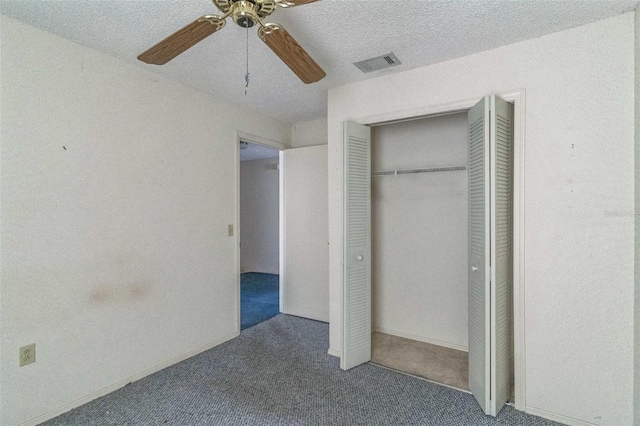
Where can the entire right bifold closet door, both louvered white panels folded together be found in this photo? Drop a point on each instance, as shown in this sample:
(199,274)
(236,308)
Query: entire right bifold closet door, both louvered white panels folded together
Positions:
(490,252)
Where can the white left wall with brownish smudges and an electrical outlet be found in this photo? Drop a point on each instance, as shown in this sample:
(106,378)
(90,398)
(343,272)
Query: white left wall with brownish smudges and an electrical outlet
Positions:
(117,189)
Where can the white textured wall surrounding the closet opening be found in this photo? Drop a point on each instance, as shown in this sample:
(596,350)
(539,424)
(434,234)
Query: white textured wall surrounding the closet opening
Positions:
(579,174)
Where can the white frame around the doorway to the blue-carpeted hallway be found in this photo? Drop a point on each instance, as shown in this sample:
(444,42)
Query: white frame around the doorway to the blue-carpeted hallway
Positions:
(280,146)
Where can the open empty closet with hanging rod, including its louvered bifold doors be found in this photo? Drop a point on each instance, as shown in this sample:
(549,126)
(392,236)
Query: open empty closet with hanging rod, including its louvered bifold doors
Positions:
(428,248)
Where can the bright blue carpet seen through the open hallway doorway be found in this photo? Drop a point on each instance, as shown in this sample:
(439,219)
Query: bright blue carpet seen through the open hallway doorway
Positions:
(259,298)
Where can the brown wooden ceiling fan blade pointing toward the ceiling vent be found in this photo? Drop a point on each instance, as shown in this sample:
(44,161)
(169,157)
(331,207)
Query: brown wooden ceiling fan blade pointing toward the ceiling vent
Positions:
(291,53)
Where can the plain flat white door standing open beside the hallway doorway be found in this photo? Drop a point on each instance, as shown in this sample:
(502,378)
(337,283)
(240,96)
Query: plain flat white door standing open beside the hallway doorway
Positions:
(306,266)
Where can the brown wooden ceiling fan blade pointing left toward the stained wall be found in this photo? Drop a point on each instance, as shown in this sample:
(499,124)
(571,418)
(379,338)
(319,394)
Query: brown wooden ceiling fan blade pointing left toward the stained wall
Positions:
(182,40)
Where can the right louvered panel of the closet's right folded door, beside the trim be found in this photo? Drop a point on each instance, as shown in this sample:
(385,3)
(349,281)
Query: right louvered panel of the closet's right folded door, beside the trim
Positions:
(501,147)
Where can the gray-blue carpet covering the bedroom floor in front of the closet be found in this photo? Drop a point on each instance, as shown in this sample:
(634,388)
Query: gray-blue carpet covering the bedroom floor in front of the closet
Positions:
(279,373)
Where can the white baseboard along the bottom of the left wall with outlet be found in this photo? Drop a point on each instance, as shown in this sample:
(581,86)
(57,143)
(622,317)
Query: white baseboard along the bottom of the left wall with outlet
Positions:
(111,388)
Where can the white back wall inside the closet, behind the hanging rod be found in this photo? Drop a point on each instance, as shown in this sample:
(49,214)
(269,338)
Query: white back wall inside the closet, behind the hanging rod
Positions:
(419,231)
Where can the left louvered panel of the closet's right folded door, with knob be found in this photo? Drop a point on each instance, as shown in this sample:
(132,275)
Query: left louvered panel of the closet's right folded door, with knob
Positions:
(479,256)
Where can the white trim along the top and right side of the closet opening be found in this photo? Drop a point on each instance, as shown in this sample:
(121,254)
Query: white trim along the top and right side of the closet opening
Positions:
(517,97)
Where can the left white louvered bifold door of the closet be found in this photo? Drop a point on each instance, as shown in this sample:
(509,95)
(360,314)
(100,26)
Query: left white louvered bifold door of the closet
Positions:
(356,333)
